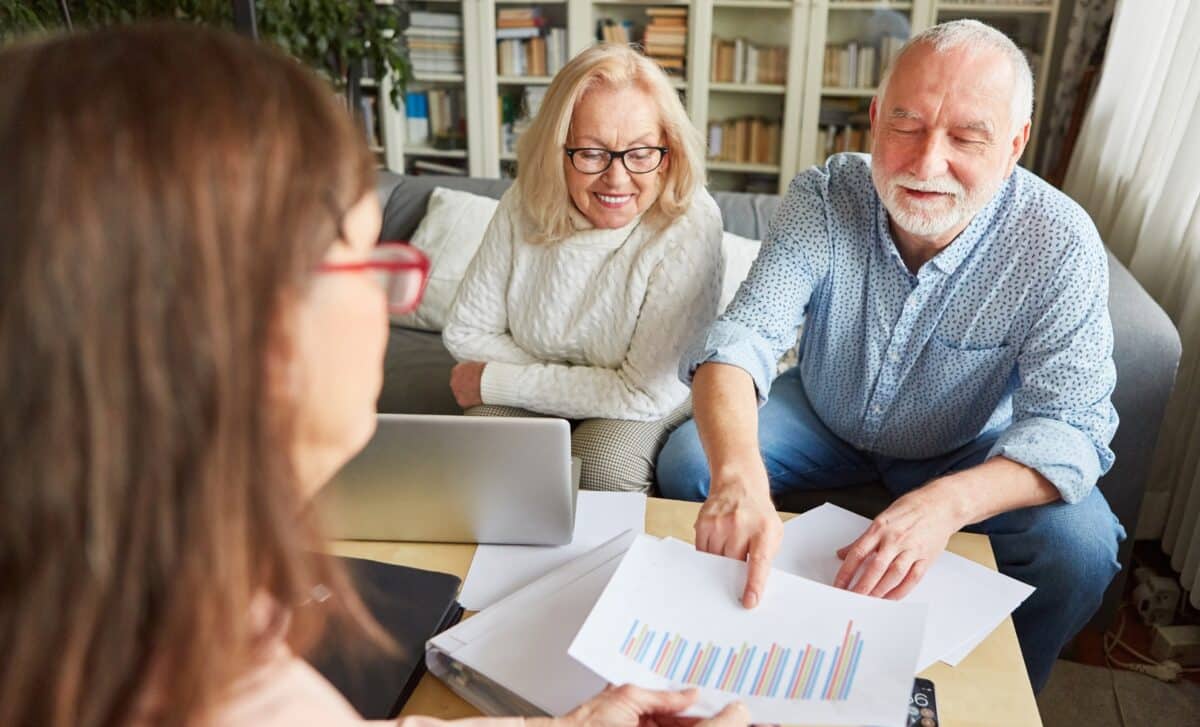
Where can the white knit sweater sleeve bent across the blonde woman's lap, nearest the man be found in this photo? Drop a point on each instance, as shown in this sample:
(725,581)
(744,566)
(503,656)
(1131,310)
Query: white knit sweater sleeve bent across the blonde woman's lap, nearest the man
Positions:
(681,302)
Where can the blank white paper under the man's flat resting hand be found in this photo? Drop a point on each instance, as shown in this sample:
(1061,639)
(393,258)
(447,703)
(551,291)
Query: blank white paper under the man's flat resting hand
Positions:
(967,600)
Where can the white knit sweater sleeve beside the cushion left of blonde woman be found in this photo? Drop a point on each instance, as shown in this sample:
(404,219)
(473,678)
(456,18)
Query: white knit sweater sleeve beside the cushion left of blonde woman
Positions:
(478,327)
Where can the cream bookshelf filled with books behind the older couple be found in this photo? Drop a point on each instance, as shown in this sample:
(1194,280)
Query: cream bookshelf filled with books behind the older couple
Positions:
(782,82)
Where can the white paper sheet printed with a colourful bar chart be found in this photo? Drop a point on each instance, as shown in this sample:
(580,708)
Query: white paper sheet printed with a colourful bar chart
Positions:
(670,618)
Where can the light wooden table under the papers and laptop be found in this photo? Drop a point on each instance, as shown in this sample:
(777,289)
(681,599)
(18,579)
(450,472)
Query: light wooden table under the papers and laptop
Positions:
(989,688)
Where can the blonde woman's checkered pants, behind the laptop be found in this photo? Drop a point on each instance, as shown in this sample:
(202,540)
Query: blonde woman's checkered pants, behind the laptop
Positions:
(619,455)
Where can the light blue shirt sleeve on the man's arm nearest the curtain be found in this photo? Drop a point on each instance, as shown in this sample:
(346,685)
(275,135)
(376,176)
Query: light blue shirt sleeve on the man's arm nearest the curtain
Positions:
(1064,418)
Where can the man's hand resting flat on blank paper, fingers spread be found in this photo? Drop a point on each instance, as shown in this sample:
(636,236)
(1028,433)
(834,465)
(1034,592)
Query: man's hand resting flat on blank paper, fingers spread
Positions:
(899,546)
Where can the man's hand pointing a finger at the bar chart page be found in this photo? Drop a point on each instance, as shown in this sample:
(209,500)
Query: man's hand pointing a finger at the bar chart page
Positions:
(740,521)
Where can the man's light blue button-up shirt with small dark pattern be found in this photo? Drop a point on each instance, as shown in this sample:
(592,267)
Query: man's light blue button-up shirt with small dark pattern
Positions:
(1006,329)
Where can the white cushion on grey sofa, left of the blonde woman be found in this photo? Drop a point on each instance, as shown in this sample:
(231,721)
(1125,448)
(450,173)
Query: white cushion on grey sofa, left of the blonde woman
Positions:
(451,235)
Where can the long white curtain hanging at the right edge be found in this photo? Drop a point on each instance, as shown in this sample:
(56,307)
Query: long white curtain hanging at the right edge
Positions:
(1137,171)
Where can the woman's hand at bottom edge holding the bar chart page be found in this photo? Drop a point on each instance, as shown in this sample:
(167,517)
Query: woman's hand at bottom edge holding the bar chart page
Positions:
(634,707)
